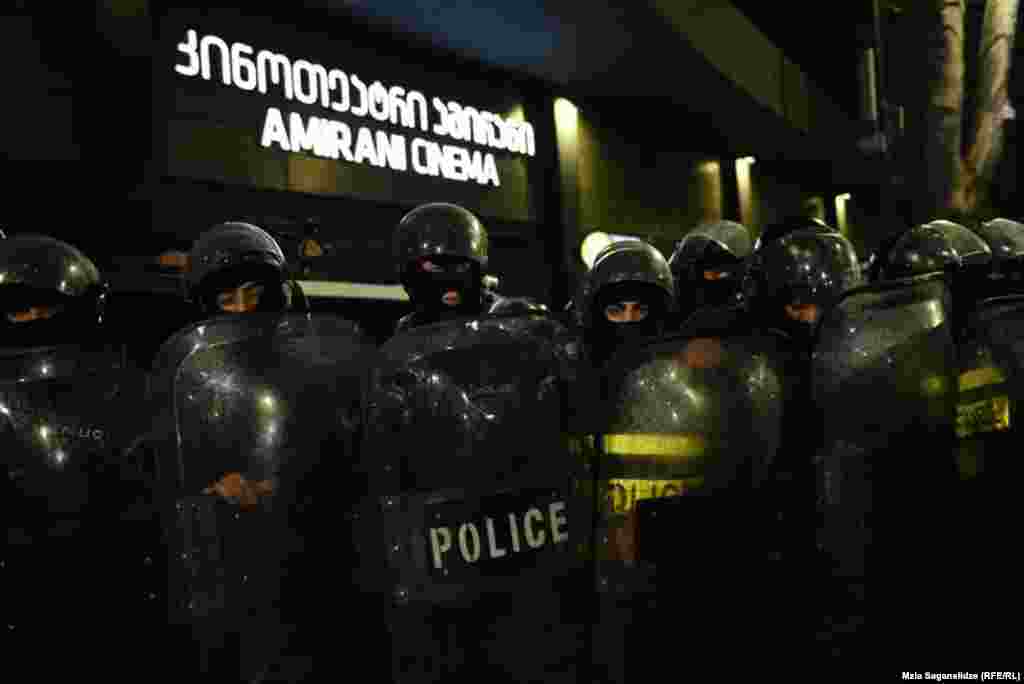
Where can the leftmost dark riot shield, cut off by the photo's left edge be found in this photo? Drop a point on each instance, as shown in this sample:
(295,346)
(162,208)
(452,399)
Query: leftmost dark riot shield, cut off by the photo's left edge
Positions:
(80,535)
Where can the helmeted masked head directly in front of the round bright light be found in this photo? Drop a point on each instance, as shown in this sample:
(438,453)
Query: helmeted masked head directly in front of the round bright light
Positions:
(627,296)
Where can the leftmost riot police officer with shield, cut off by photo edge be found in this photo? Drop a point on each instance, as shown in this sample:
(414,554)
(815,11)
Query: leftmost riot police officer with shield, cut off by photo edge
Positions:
(66,402)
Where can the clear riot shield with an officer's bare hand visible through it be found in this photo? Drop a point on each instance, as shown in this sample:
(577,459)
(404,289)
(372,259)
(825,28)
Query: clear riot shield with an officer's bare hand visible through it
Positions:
(258,423)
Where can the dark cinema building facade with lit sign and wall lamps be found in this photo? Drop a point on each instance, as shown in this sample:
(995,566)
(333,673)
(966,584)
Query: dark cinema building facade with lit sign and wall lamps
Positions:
(166,120)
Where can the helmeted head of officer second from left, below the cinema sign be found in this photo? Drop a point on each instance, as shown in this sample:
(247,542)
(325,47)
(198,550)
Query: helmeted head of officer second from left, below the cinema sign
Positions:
(237,267)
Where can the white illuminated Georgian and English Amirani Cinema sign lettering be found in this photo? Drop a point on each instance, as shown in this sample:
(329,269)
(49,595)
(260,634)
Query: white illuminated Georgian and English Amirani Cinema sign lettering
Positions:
(376,104)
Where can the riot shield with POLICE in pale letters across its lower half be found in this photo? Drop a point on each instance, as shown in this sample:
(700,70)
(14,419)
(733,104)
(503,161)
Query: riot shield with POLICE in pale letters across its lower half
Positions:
(468,534)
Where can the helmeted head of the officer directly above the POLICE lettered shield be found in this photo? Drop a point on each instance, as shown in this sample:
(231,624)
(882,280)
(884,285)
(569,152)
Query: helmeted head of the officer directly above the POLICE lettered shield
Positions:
(441,252)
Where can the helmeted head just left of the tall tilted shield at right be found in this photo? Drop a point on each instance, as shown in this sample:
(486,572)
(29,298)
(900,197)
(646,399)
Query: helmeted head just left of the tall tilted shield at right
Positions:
(799,277)
